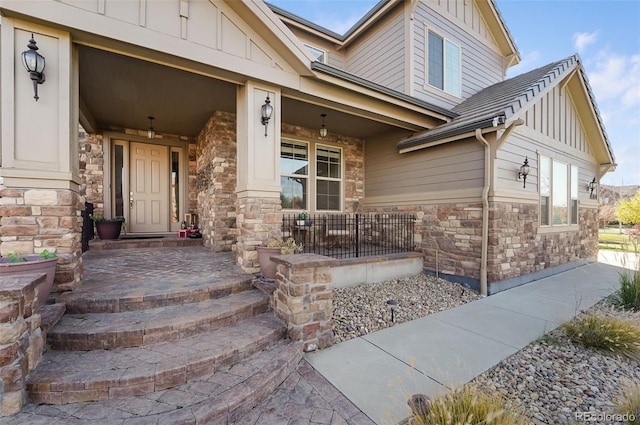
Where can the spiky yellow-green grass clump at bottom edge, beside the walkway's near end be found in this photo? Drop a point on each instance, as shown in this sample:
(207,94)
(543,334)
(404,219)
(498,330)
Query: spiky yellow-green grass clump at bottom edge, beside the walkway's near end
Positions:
(469,405)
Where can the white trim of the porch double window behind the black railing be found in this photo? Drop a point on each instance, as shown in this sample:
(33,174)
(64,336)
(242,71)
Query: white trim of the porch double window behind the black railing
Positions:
(312,175)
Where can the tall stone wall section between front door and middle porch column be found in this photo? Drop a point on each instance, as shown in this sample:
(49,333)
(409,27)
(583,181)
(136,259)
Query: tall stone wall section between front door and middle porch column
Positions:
(215,181)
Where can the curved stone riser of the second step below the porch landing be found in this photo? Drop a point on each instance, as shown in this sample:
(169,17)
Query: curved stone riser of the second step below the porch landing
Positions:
(65,389)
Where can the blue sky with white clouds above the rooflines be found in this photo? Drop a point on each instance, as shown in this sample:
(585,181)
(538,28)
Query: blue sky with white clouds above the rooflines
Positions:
(605,33)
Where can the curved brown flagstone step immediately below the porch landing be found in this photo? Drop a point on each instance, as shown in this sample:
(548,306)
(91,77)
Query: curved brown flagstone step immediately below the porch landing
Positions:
(94,331)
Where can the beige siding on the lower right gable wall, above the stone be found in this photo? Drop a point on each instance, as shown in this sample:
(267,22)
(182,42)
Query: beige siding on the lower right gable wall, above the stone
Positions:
(552,128)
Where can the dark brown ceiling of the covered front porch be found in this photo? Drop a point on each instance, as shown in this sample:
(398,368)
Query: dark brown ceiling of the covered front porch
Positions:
(120,92)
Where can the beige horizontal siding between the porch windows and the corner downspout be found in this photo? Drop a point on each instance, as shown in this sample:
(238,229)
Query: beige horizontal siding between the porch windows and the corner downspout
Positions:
(450,167)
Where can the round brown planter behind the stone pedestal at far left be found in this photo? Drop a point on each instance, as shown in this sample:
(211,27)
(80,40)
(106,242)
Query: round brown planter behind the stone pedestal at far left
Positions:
(45,262)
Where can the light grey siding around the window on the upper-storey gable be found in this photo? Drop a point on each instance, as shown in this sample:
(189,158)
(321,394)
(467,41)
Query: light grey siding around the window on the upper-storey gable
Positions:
(481,61)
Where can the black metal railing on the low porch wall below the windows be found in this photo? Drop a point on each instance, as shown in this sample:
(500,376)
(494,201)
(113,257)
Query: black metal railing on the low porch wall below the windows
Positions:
(351,235)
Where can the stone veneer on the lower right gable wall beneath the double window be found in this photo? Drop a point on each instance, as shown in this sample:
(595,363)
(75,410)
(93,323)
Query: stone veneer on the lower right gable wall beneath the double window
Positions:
(516,248)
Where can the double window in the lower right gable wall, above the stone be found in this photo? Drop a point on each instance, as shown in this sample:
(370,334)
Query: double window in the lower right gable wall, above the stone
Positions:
(558,193)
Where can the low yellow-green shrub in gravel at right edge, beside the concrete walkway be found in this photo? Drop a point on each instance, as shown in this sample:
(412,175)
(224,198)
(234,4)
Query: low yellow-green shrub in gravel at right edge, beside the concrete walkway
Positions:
(600,332)
